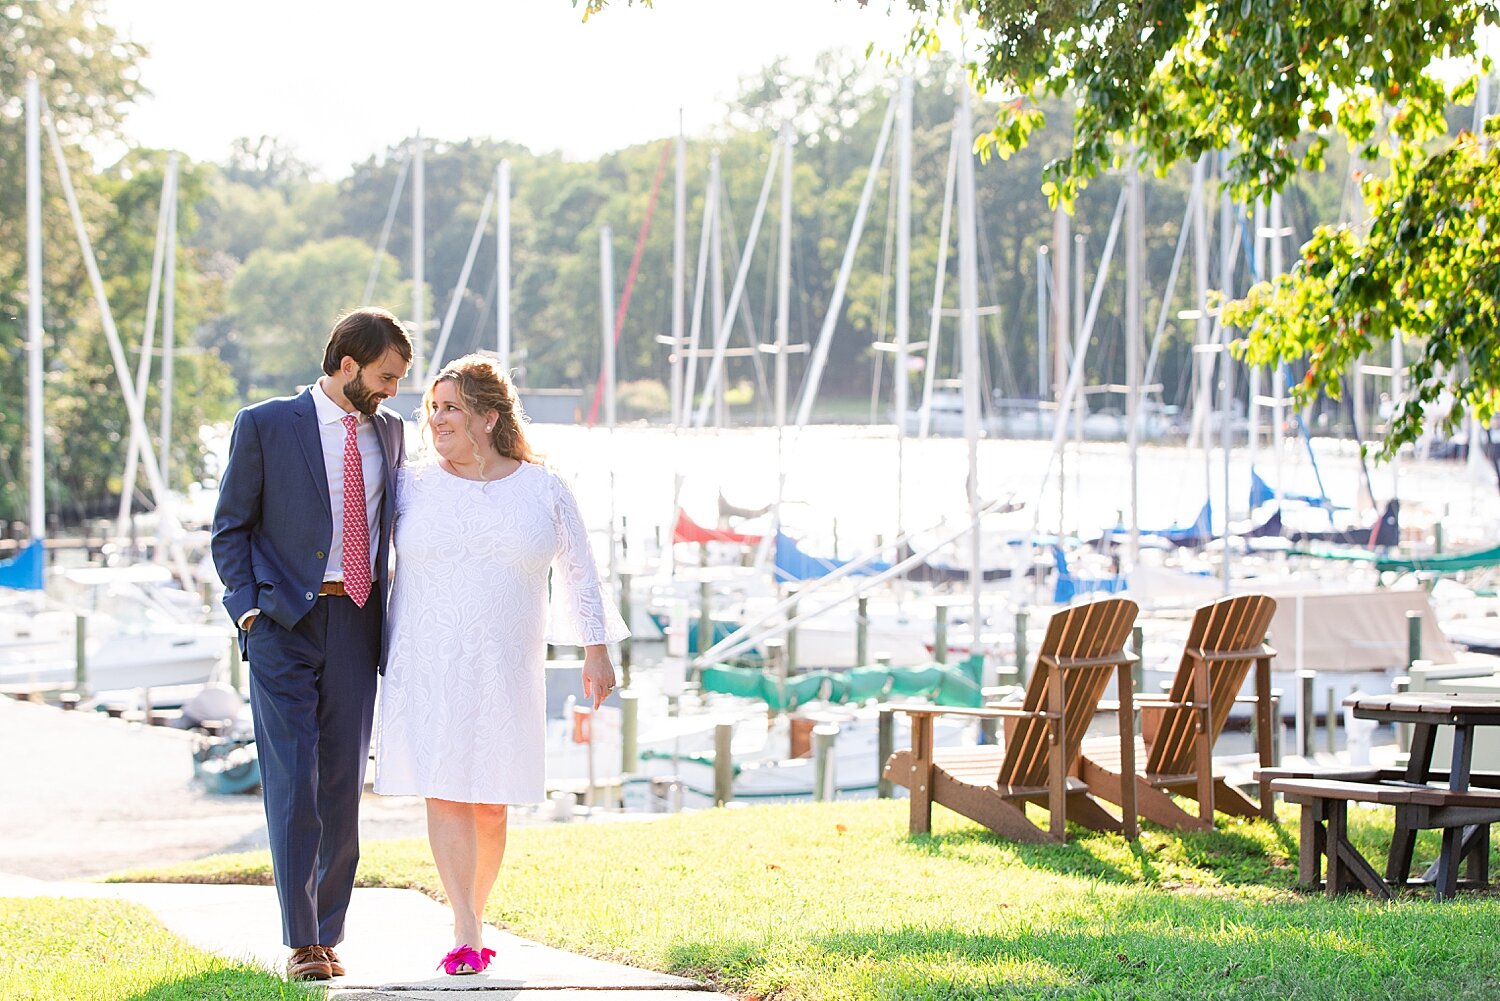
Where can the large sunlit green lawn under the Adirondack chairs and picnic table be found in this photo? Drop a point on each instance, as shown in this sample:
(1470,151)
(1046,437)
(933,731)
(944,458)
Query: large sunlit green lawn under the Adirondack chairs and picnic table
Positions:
(836,901)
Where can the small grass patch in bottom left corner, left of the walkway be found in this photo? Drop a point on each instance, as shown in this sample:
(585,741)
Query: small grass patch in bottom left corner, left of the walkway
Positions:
(112,951)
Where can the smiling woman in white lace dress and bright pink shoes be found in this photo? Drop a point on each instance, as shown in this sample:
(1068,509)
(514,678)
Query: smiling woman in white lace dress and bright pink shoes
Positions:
(463,706)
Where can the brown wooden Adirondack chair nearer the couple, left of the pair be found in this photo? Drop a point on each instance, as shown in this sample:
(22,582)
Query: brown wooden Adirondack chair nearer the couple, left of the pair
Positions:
(992,784)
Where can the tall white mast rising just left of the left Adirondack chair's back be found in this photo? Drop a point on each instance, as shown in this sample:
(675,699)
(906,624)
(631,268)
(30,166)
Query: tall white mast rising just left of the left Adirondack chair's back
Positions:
(970,343)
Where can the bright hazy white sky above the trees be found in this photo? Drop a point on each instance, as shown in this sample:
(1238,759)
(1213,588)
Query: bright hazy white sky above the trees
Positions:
(341,80)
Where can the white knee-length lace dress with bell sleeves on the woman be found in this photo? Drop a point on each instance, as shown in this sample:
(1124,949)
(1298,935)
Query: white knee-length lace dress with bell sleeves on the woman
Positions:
(463,706)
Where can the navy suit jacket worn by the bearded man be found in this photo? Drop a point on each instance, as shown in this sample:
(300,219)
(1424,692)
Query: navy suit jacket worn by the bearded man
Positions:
(274,522)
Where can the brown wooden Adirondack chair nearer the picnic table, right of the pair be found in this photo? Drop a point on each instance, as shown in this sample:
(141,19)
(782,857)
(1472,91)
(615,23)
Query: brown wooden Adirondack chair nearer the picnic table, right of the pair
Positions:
(1181,729)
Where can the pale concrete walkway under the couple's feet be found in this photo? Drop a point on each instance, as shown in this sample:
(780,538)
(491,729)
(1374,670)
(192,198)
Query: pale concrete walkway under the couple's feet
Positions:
(394,945)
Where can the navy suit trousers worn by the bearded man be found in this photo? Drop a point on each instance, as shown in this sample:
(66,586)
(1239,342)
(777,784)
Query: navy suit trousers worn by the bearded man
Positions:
(313,693)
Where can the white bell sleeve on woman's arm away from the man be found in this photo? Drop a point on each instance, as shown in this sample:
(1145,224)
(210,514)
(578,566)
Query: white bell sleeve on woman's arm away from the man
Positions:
(583,612)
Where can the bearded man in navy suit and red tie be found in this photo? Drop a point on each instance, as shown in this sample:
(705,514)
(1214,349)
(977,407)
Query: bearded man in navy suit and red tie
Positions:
(301,540)
